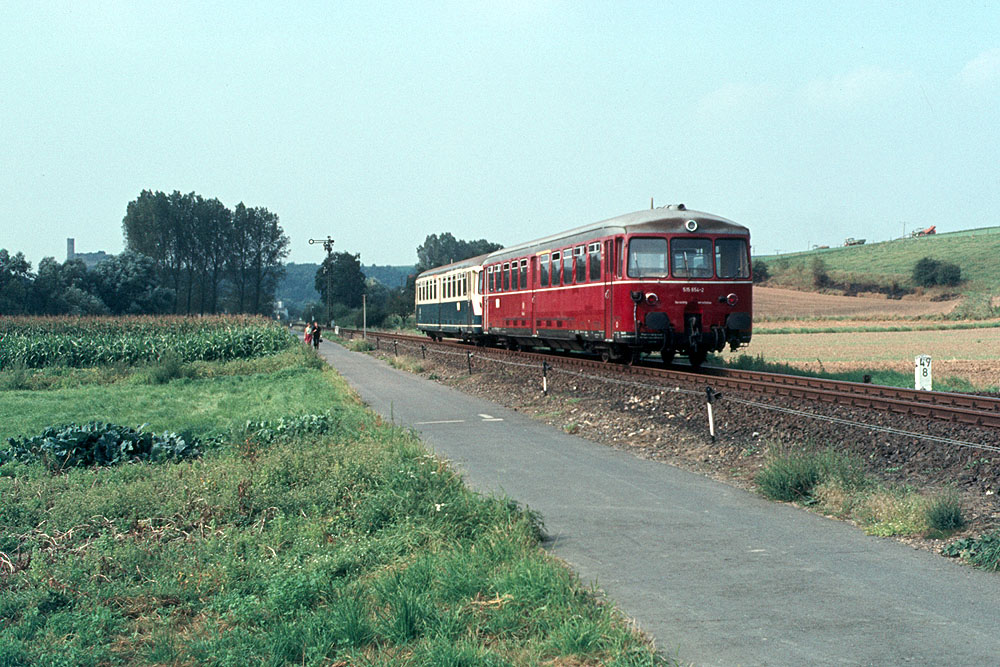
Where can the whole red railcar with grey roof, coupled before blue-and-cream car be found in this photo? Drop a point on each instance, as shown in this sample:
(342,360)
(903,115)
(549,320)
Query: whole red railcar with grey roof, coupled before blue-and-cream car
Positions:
(666,280)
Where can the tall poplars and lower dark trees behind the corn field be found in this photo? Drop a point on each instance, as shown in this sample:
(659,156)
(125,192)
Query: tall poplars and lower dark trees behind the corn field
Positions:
(184,254)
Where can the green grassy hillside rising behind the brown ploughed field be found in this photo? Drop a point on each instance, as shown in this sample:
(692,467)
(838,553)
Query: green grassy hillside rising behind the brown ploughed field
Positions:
(891,263)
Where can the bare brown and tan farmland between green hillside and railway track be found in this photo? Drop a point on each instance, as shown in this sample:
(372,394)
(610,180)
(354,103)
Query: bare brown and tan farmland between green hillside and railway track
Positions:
(973,354)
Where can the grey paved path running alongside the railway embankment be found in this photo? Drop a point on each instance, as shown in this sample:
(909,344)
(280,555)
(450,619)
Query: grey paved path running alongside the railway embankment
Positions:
(716,575)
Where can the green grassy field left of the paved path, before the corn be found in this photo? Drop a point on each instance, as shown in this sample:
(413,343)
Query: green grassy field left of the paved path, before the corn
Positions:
(315,534)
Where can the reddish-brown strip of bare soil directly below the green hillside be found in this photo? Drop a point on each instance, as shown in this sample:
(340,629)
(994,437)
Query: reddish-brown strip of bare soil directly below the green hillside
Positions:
(774,303)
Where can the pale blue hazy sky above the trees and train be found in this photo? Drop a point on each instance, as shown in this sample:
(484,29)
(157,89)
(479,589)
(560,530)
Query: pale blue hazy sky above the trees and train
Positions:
(380,123)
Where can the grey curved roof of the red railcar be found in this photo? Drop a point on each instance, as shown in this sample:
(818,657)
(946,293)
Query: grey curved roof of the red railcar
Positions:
(667,219)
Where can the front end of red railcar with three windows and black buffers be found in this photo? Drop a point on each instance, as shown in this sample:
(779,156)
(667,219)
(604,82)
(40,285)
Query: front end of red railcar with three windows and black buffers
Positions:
(686,286)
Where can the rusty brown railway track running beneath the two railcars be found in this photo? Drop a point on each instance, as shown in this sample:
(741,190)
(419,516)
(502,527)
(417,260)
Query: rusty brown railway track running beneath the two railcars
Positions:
(966,409)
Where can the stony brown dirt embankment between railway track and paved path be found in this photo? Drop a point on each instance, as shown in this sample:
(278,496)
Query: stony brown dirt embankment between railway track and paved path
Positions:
(669,424)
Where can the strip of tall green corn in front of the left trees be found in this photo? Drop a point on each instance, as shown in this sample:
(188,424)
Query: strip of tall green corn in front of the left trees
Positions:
(82,342)
